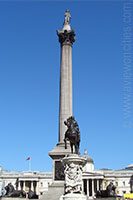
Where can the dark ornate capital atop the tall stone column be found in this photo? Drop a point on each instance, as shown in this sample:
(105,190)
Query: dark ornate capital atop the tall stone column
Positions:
(66,37)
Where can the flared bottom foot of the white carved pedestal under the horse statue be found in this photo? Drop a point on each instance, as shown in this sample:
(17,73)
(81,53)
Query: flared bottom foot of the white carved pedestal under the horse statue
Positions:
(73,197)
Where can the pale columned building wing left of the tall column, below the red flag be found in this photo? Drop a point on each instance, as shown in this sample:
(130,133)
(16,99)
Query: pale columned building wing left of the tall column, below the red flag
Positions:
(34,180)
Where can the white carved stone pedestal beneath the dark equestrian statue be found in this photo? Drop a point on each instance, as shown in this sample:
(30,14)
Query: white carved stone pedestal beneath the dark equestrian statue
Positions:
(73,167)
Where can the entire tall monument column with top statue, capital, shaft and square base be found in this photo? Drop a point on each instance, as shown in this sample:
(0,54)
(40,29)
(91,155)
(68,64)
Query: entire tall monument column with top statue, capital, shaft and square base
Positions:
(66,39)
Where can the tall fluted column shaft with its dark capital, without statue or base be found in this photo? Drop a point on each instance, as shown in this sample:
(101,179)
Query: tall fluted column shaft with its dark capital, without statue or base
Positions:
(66,39)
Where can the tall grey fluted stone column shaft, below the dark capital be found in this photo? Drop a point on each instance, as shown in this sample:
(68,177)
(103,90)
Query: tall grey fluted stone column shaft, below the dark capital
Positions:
(65,89)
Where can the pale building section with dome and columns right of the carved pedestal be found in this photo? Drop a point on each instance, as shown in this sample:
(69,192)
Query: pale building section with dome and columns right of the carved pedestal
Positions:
(95,180)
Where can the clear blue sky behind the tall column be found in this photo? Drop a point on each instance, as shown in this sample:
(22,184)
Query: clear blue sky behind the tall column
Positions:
(29,82)
